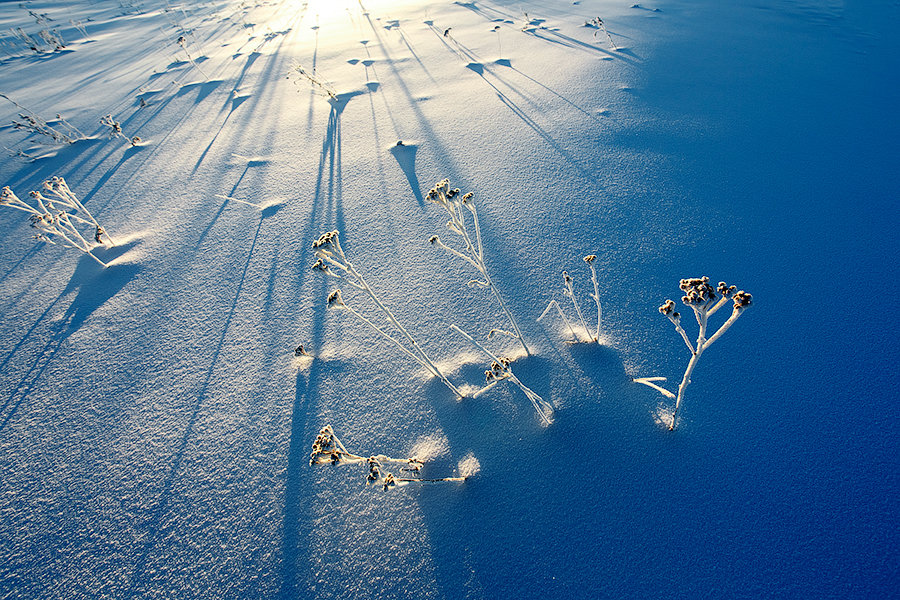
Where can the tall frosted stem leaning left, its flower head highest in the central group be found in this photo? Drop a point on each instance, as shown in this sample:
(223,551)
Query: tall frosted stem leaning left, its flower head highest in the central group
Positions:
(457,206)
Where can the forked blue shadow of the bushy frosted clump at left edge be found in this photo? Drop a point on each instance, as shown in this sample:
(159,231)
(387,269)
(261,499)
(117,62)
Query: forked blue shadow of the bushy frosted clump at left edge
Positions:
(94,286)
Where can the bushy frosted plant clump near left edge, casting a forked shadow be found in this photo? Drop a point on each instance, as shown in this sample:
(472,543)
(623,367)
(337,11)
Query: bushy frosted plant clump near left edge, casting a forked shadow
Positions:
(60,217)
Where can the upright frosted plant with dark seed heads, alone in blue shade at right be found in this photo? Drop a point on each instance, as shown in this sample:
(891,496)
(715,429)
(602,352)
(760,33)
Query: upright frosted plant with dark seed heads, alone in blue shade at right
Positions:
(704,300)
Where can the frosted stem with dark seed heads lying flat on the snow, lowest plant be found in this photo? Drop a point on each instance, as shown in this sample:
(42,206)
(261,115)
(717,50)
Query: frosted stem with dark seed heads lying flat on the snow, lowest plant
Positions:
(328,449)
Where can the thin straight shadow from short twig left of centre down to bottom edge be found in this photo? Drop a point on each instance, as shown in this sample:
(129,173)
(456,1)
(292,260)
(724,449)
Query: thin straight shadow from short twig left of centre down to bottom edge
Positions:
(154,523)
